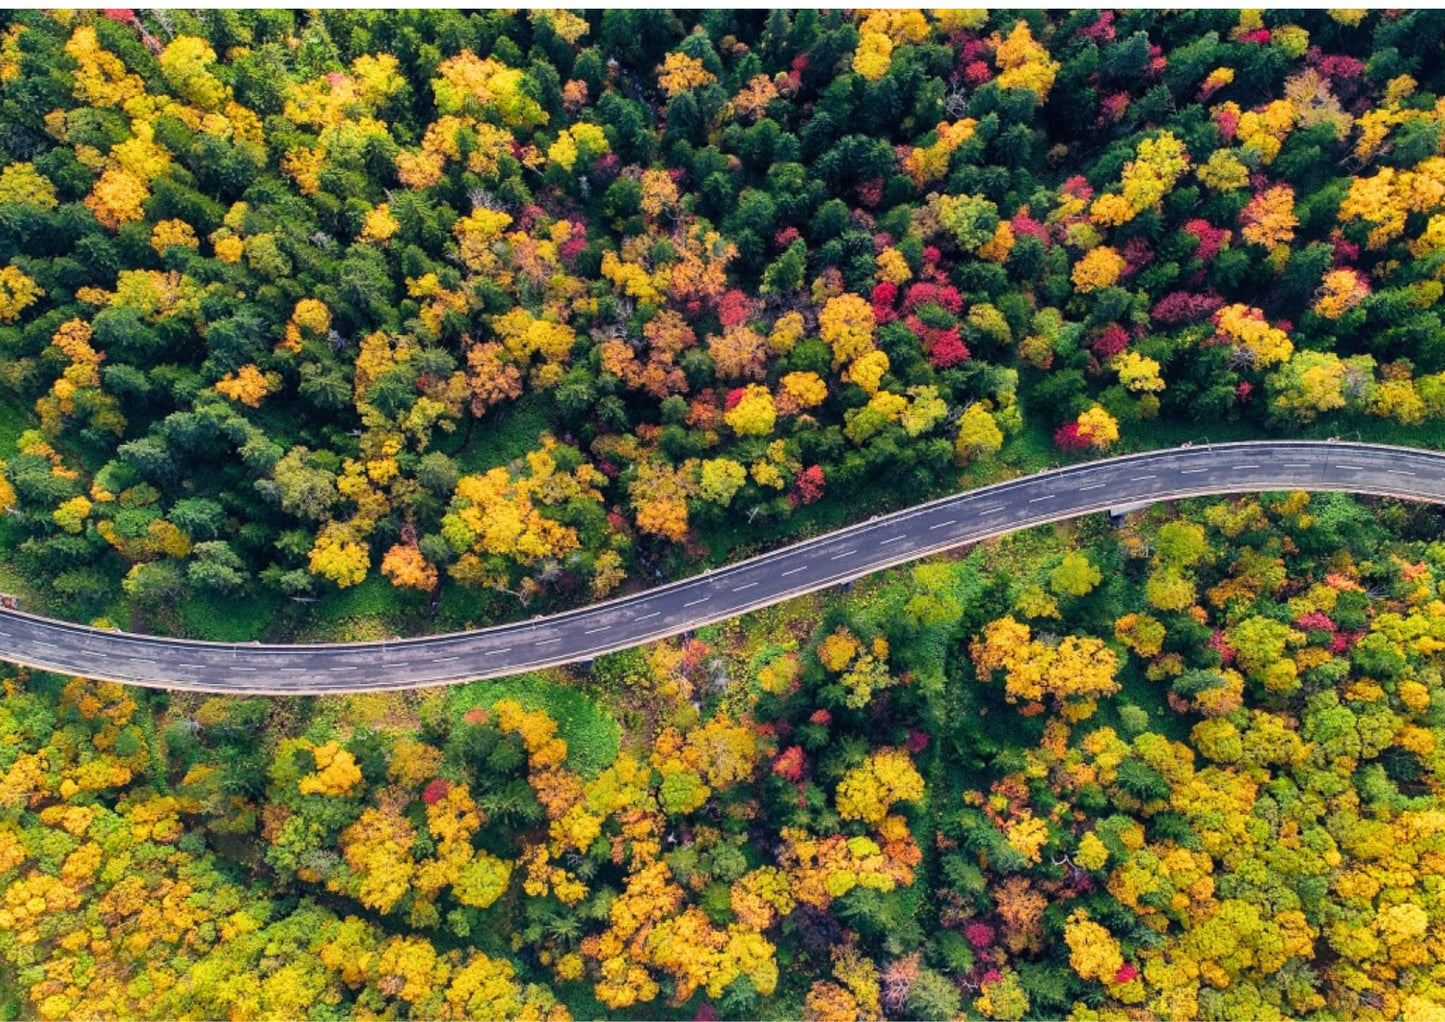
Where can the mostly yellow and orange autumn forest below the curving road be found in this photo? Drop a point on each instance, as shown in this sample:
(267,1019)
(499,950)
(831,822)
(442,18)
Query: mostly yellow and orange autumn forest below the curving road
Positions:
(1186,768)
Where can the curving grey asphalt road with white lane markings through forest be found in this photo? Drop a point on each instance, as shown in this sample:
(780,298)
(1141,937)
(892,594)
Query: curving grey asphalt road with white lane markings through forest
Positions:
(814,564)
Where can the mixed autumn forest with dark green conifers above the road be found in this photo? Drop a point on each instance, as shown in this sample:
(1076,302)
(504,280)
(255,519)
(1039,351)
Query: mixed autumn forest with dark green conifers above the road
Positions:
(374,309)
